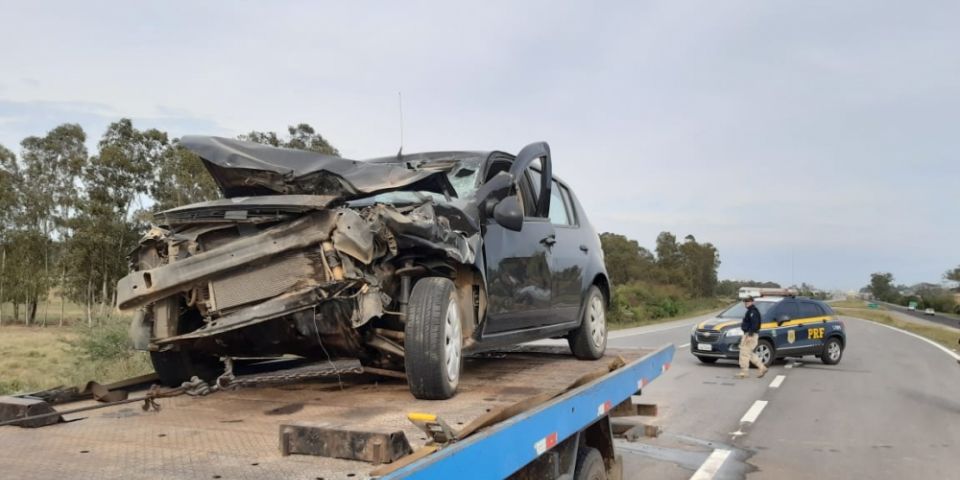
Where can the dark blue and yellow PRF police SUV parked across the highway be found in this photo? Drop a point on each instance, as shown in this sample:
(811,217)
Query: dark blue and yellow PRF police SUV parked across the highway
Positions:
(791,327)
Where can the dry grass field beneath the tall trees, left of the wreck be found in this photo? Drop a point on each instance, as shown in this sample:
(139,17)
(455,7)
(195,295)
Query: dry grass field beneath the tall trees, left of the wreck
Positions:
(33,358)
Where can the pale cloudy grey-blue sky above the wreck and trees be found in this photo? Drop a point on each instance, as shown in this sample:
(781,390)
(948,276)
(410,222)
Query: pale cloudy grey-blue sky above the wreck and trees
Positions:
(809,141)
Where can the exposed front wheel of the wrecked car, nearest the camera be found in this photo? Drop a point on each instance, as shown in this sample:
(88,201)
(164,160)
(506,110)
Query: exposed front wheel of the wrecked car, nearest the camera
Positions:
(433,341)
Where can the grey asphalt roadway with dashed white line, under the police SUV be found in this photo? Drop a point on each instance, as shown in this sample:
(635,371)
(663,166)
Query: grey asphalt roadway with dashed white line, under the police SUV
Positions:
(889,410)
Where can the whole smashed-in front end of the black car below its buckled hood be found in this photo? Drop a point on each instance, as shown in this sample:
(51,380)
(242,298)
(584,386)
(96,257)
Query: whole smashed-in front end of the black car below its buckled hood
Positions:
(274,279)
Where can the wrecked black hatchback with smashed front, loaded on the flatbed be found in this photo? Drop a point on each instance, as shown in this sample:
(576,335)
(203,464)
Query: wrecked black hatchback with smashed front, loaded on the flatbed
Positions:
(405,263)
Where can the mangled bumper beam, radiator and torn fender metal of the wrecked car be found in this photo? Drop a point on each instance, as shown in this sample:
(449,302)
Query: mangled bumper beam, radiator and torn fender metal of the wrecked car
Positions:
(328,269)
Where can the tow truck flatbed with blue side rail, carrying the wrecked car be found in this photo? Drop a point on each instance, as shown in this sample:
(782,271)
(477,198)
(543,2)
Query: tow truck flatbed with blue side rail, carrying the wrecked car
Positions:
(526,412)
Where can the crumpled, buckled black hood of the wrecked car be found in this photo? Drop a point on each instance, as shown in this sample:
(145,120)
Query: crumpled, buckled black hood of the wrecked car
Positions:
(249,169)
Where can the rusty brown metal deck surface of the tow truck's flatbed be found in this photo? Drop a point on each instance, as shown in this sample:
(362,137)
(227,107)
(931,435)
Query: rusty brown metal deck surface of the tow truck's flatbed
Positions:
(235,434)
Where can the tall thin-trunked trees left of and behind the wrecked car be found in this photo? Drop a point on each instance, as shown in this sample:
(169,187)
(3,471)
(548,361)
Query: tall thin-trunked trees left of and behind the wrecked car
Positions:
(68,217)
